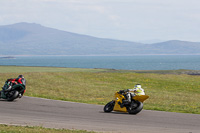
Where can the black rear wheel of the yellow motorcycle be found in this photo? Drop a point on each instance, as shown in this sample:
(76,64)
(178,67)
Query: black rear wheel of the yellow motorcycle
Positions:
(135,107)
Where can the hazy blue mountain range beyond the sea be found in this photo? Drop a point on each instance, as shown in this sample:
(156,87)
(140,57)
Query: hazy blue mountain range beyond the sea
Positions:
(34,39)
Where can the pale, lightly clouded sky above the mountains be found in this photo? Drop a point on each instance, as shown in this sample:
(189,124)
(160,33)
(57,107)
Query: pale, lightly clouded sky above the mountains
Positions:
(130,20)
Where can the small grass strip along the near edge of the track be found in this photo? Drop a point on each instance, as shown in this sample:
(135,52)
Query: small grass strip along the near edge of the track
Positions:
(27,129)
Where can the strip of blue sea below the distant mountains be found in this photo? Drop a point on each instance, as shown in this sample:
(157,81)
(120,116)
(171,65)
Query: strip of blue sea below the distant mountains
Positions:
(136,62)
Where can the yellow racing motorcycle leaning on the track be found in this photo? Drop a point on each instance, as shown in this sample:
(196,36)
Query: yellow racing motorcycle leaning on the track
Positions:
(120,103)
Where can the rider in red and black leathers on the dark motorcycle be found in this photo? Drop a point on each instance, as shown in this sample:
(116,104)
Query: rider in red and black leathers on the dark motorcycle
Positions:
(14,83)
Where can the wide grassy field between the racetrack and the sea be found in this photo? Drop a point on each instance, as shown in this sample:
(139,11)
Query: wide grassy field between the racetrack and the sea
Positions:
(174,92)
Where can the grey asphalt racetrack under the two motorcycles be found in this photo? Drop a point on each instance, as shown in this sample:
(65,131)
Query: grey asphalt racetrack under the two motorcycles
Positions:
(60,114)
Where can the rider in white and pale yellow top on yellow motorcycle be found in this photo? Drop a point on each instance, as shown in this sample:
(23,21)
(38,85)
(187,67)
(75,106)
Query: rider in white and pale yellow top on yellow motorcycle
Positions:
(129,93)
